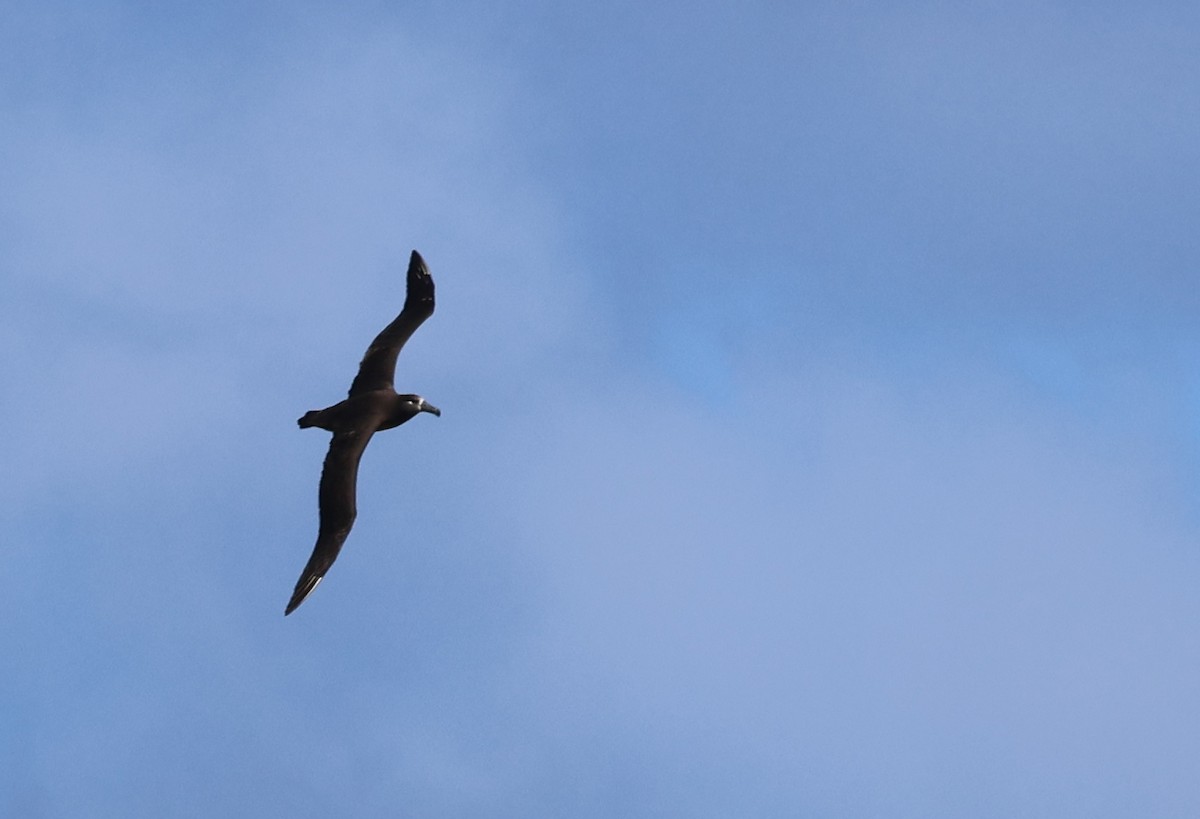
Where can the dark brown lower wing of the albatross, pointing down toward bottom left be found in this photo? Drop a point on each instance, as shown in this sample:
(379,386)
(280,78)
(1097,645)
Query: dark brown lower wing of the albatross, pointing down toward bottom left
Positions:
(339,480)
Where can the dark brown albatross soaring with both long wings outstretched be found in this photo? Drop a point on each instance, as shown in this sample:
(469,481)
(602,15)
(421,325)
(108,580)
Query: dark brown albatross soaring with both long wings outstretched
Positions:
(373,405)
